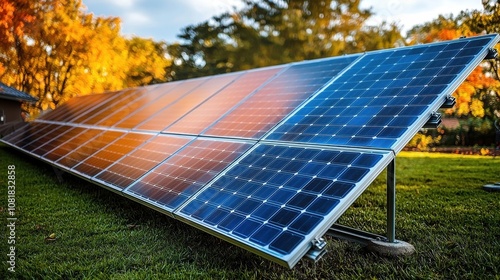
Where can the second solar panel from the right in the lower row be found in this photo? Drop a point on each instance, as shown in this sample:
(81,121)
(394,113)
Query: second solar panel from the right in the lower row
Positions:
(173,181)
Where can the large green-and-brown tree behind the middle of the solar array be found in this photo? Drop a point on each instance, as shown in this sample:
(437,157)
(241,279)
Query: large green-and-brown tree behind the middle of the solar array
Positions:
(271,32)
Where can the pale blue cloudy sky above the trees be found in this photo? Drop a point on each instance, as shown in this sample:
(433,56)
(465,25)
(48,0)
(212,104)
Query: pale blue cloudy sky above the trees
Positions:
(163,20)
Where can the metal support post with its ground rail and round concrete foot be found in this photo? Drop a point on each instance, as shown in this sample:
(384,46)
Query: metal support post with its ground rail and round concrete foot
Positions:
(384,245)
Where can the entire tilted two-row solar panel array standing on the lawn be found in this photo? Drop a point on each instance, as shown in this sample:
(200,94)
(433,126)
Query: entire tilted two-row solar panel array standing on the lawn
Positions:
(267,159)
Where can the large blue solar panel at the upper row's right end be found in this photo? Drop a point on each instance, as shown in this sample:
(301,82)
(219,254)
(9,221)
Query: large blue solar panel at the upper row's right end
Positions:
(379,98)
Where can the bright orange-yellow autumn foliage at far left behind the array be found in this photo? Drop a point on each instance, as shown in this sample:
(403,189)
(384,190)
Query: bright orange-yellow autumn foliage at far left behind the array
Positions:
(53,50)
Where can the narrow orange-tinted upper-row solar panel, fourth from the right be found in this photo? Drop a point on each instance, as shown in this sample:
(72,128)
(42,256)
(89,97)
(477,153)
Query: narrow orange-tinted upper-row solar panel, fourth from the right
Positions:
(172,113)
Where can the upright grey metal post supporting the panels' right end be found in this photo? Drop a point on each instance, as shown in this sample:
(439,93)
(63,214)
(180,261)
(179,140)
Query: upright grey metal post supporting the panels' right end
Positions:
(391,201)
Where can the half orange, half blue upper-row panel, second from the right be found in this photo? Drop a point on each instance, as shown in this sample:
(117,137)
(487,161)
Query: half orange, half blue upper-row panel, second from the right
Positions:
(271,103)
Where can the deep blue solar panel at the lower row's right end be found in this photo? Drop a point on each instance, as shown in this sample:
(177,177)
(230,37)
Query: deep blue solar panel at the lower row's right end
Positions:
(276,196)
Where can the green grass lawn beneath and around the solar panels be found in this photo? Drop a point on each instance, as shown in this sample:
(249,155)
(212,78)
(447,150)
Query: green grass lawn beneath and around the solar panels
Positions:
(441,210)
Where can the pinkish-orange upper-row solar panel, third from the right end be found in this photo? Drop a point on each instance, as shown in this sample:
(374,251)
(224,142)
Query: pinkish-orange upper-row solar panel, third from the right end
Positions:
(202,117)
